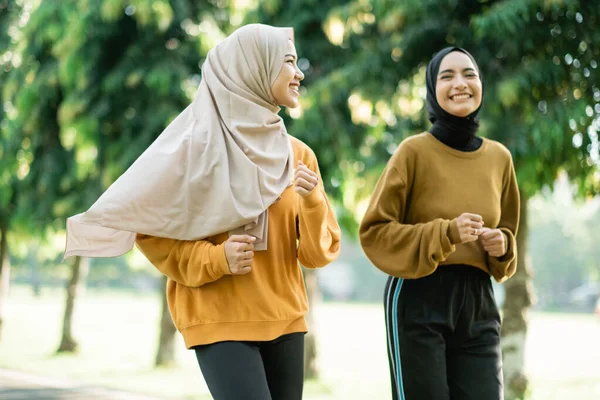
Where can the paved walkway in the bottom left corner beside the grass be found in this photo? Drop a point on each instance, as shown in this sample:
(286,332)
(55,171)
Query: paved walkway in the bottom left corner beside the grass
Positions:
(21,386)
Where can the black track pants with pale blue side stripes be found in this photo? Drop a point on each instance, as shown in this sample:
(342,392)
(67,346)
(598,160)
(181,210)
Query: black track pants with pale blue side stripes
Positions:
(444,336)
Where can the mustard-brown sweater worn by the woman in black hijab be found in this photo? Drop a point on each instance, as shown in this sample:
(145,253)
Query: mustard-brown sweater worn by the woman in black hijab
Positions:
(409,228)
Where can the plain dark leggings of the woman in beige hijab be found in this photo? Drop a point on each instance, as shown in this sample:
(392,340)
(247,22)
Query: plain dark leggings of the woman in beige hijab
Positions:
(272,370)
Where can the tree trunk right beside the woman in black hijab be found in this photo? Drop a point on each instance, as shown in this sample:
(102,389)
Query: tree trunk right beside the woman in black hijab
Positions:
(519,298)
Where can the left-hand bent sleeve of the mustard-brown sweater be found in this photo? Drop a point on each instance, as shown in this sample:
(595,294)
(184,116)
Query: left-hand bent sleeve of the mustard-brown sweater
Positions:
(400,249)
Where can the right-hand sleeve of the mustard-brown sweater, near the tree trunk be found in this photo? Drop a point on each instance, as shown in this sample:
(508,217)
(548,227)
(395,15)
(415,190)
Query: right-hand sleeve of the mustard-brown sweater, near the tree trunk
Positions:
(504,267)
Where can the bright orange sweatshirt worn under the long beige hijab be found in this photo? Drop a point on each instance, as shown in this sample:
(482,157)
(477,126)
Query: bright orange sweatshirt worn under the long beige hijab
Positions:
(208,304)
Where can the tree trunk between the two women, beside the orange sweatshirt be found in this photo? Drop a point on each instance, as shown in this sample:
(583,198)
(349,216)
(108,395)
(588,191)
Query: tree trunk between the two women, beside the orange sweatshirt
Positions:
(311,370)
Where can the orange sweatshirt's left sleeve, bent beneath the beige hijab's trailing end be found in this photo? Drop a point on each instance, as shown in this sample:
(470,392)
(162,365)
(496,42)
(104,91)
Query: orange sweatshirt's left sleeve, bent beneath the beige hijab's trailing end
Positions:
(190,263)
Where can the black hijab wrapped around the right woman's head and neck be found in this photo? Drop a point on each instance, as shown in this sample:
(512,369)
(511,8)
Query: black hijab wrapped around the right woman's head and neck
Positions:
(456,132)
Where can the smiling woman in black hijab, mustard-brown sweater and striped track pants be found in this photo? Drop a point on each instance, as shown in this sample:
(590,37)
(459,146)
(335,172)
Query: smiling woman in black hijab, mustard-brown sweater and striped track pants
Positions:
(443,218)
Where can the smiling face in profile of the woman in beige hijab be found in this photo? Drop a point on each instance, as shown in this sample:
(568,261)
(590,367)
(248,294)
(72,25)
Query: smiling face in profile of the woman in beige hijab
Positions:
(285,88)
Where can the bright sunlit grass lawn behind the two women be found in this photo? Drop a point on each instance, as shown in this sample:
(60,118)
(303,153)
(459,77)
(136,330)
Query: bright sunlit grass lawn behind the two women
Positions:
(118,333)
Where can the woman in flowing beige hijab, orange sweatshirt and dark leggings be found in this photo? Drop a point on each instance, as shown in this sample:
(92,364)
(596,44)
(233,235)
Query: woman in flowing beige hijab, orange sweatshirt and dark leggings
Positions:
(226,204)
